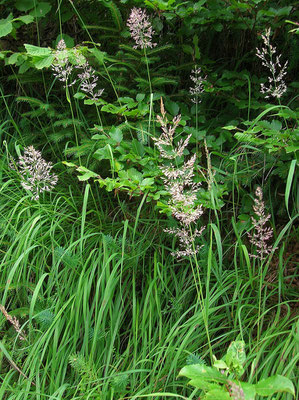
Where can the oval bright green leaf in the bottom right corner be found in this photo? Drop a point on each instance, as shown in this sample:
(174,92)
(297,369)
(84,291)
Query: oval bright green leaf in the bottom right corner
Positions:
(274,384)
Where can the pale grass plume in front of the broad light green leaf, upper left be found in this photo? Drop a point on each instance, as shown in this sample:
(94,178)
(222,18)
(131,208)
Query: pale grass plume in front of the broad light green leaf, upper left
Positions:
(61,66)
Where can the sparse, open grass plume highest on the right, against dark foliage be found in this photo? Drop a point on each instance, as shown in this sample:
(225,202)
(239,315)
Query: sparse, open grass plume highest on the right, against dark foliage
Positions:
(276,85)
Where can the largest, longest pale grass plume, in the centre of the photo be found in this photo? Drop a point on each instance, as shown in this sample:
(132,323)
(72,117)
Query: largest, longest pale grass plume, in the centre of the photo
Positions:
(178,181)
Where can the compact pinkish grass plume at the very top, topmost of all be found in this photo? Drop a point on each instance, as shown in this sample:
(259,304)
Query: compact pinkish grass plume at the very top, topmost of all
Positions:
(140,28)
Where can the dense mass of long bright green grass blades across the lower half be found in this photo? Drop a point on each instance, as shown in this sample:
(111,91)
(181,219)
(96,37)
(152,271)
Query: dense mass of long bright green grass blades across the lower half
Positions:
(110,314)
